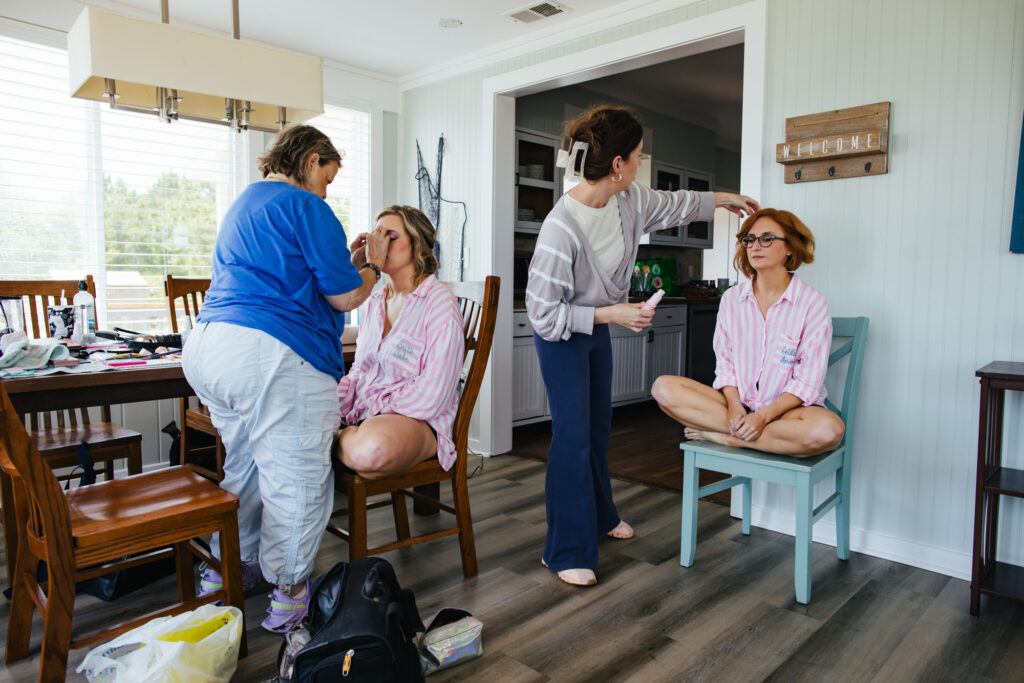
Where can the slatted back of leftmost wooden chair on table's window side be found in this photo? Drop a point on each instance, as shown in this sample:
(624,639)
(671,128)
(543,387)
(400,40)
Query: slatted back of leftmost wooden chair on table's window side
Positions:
(36,296)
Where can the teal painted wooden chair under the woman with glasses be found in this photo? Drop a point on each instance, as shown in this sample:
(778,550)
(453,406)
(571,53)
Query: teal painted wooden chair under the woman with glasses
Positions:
(802,474)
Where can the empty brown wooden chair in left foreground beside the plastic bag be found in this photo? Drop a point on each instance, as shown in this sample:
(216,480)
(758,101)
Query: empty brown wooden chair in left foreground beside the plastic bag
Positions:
(92,531)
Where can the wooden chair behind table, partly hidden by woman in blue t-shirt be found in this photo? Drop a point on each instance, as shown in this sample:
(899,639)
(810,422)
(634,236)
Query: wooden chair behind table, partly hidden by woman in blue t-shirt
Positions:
(189,294)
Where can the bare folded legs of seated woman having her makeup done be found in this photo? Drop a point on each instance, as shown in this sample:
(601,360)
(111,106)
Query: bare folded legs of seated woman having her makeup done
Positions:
(386,445)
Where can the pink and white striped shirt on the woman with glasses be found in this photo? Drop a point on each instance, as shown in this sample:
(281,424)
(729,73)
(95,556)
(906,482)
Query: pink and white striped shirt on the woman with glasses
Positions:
(787,352)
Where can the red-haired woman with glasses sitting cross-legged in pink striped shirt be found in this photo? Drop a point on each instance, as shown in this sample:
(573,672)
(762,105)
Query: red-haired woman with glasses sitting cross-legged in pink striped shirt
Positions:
(772,345)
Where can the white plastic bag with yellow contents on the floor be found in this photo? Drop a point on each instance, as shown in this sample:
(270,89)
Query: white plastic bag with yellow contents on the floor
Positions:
(200,646)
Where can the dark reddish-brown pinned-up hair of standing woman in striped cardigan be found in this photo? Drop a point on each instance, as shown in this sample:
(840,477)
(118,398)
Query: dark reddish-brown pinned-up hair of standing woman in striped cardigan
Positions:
(611,132)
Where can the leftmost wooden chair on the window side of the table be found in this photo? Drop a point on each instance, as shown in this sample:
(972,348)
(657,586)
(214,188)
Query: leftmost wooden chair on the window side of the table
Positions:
(58,435)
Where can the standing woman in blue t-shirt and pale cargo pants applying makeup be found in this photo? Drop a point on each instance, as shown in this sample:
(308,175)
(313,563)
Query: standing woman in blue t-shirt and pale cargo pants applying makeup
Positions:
(266,359)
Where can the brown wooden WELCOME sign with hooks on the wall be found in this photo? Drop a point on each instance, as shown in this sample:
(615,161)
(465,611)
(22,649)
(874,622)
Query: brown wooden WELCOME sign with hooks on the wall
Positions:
(844,144)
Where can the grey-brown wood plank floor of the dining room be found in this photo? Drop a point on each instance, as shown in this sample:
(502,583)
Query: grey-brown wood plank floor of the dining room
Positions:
(731,618)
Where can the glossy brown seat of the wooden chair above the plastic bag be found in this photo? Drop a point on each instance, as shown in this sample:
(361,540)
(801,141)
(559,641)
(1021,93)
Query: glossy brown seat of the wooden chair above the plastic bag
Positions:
(122,508)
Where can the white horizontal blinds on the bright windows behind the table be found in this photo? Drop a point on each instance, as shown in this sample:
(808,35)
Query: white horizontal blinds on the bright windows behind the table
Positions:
(123,197)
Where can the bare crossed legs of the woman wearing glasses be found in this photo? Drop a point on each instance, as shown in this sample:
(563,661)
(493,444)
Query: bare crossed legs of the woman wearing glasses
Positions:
(803,432)
